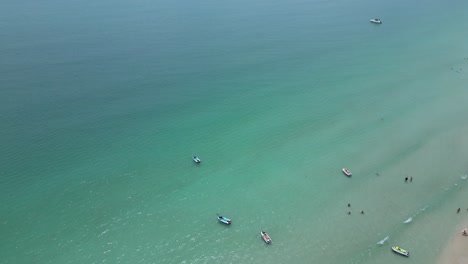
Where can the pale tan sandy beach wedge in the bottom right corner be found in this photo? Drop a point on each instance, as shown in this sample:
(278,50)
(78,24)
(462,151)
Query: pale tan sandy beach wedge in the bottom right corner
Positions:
(455,250)
